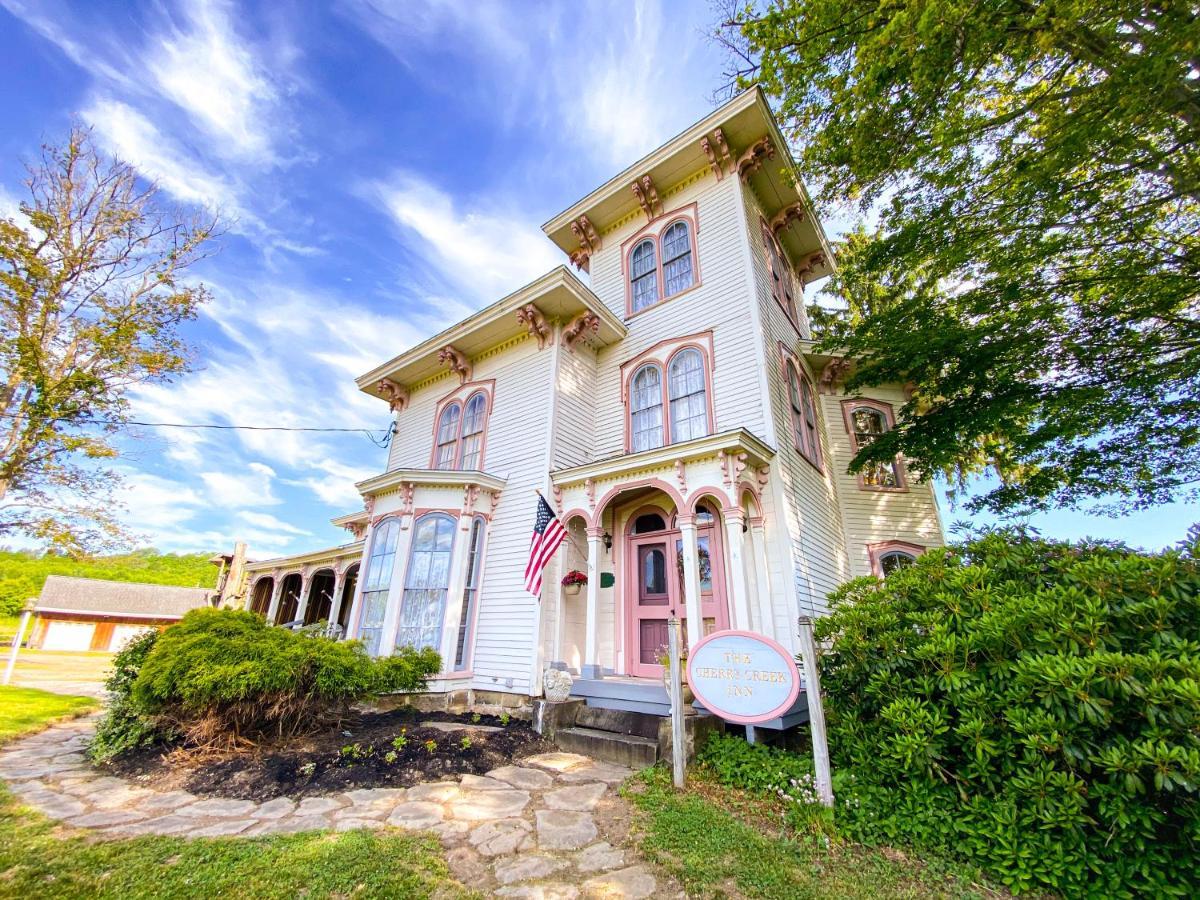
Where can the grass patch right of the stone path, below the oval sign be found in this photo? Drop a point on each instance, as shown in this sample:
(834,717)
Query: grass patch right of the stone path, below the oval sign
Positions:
(721,843)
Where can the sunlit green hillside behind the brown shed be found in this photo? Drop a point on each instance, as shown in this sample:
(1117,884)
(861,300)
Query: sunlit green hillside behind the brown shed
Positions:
(22,574)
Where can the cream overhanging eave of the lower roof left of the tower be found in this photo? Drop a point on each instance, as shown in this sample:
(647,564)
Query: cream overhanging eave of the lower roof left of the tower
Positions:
(559,295)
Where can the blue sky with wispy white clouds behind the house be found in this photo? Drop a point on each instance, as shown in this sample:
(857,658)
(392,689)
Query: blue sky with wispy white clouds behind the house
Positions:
(385,167)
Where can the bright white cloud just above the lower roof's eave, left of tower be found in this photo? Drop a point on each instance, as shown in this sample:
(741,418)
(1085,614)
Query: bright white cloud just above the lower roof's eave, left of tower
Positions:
(491,251)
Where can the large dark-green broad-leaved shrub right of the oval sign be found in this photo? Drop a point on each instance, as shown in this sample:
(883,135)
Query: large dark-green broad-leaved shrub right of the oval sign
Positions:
(1031,705)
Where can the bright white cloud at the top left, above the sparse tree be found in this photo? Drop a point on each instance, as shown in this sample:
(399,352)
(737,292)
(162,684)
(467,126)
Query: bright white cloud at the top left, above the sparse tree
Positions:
(219,81)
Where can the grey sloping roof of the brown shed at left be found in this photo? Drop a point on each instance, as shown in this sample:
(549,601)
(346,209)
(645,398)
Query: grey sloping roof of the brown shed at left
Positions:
(63,593)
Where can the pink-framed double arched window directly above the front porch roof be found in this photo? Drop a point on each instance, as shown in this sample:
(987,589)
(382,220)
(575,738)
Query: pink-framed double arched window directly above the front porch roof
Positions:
(669,394)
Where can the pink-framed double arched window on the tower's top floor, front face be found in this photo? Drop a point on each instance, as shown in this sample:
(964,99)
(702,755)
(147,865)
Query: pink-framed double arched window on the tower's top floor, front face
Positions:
(661,261)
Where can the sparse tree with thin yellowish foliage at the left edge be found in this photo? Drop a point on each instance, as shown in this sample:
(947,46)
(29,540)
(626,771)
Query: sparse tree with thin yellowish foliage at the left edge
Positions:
(93,293)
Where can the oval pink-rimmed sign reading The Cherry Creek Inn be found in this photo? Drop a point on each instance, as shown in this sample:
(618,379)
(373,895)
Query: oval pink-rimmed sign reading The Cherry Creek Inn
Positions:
(743,677)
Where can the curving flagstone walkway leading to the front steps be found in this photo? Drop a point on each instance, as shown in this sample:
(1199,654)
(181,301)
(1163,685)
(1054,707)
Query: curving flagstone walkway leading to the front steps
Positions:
(548,829)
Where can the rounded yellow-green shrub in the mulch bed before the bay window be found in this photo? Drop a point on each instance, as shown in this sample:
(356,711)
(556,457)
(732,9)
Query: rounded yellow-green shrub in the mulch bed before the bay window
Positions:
(225,677)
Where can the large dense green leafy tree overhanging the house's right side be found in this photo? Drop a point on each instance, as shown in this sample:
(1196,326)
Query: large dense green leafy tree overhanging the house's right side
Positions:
(1035,274)
